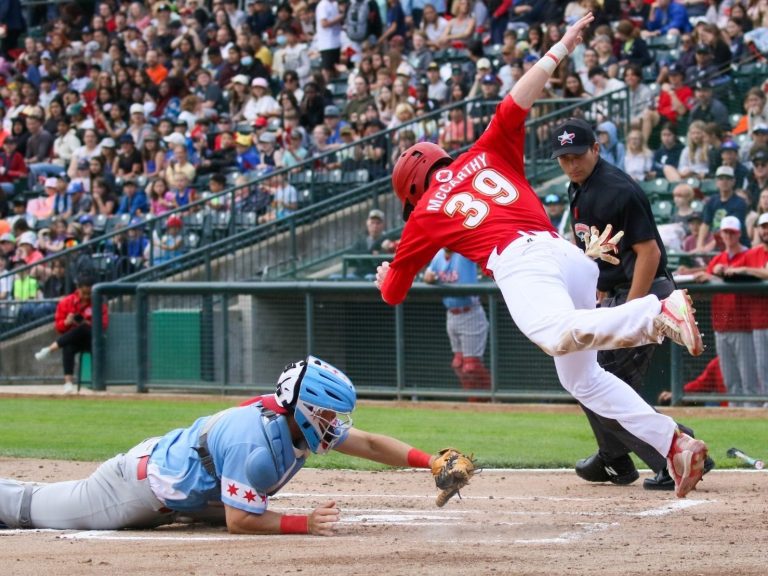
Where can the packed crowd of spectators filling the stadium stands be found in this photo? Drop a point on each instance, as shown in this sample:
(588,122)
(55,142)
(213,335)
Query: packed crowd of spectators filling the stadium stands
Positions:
(120,111)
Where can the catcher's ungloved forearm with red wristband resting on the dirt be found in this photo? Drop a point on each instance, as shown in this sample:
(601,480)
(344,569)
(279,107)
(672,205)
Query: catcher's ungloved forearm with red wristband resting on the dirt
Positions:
(320,522)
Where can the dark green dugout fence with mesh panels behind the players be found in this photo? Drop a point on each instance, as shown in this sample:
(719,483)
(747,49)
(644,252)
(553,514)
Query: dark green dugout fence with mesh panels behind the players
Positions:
(229,338)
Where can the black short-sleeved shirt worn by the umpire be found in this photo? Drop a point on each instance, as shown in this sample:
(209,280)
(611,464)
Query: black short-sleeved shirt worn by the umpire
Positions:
(611,196)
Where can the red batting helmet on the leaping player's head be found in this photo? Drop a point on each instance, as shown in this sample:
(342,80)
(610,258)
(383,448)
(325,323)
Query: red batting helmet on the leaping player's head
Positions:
(409,178)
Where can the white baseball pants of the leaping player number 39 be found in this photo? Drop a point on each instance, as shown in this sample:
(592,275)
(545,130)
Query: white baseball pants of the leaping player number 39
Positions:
(549,286)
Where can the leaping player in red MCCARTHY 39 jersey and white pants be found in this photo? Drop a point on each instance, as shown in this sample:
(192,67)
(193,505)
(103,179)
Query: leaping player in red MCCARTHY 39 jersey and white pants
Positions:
(481,205)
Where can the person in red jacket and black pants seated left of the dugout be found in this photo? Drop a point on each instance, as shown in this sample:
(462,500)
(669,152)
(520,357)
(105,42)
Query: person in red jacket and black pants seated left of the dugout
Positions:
(73,320)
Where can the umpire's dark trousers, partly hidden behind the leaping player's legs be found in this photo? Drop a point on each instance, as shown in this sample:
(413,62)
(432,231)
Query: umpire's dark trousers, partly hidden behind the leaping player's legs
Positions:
(631,365)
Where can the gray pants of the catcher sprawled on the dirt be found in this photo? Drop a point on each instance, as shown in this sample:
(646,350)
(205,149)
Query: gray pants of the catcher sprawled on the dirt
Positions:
(112,497)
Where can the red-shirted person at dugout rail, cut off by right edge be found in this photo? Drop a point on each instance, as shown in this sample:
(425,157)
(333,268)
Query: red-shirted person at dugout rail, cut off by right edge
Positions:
(756,264)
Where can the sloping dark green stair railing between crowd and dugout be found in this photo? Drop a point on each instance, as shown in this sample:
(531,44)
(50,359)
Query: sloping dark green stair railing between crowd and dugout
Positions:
(218,225)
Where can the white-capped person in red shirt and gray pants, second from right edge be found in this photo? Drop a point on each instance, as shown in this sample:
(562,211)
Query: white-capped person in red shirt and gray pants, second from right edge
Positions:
(731,316)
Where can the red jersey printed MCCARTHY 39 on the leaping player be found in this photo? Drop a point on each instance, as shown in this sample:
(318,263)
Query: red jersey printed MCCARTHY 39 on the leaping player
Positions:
(475,205)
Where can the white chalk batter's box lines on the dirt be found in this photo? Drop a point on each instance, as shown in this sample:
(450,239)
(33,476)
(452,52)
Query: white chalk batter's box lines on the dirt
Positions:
(401,517)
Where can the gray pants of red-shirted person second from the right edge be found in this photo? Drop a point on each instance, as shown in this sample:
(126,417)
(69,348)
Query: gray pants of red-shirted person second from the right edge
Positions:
(736,351)
